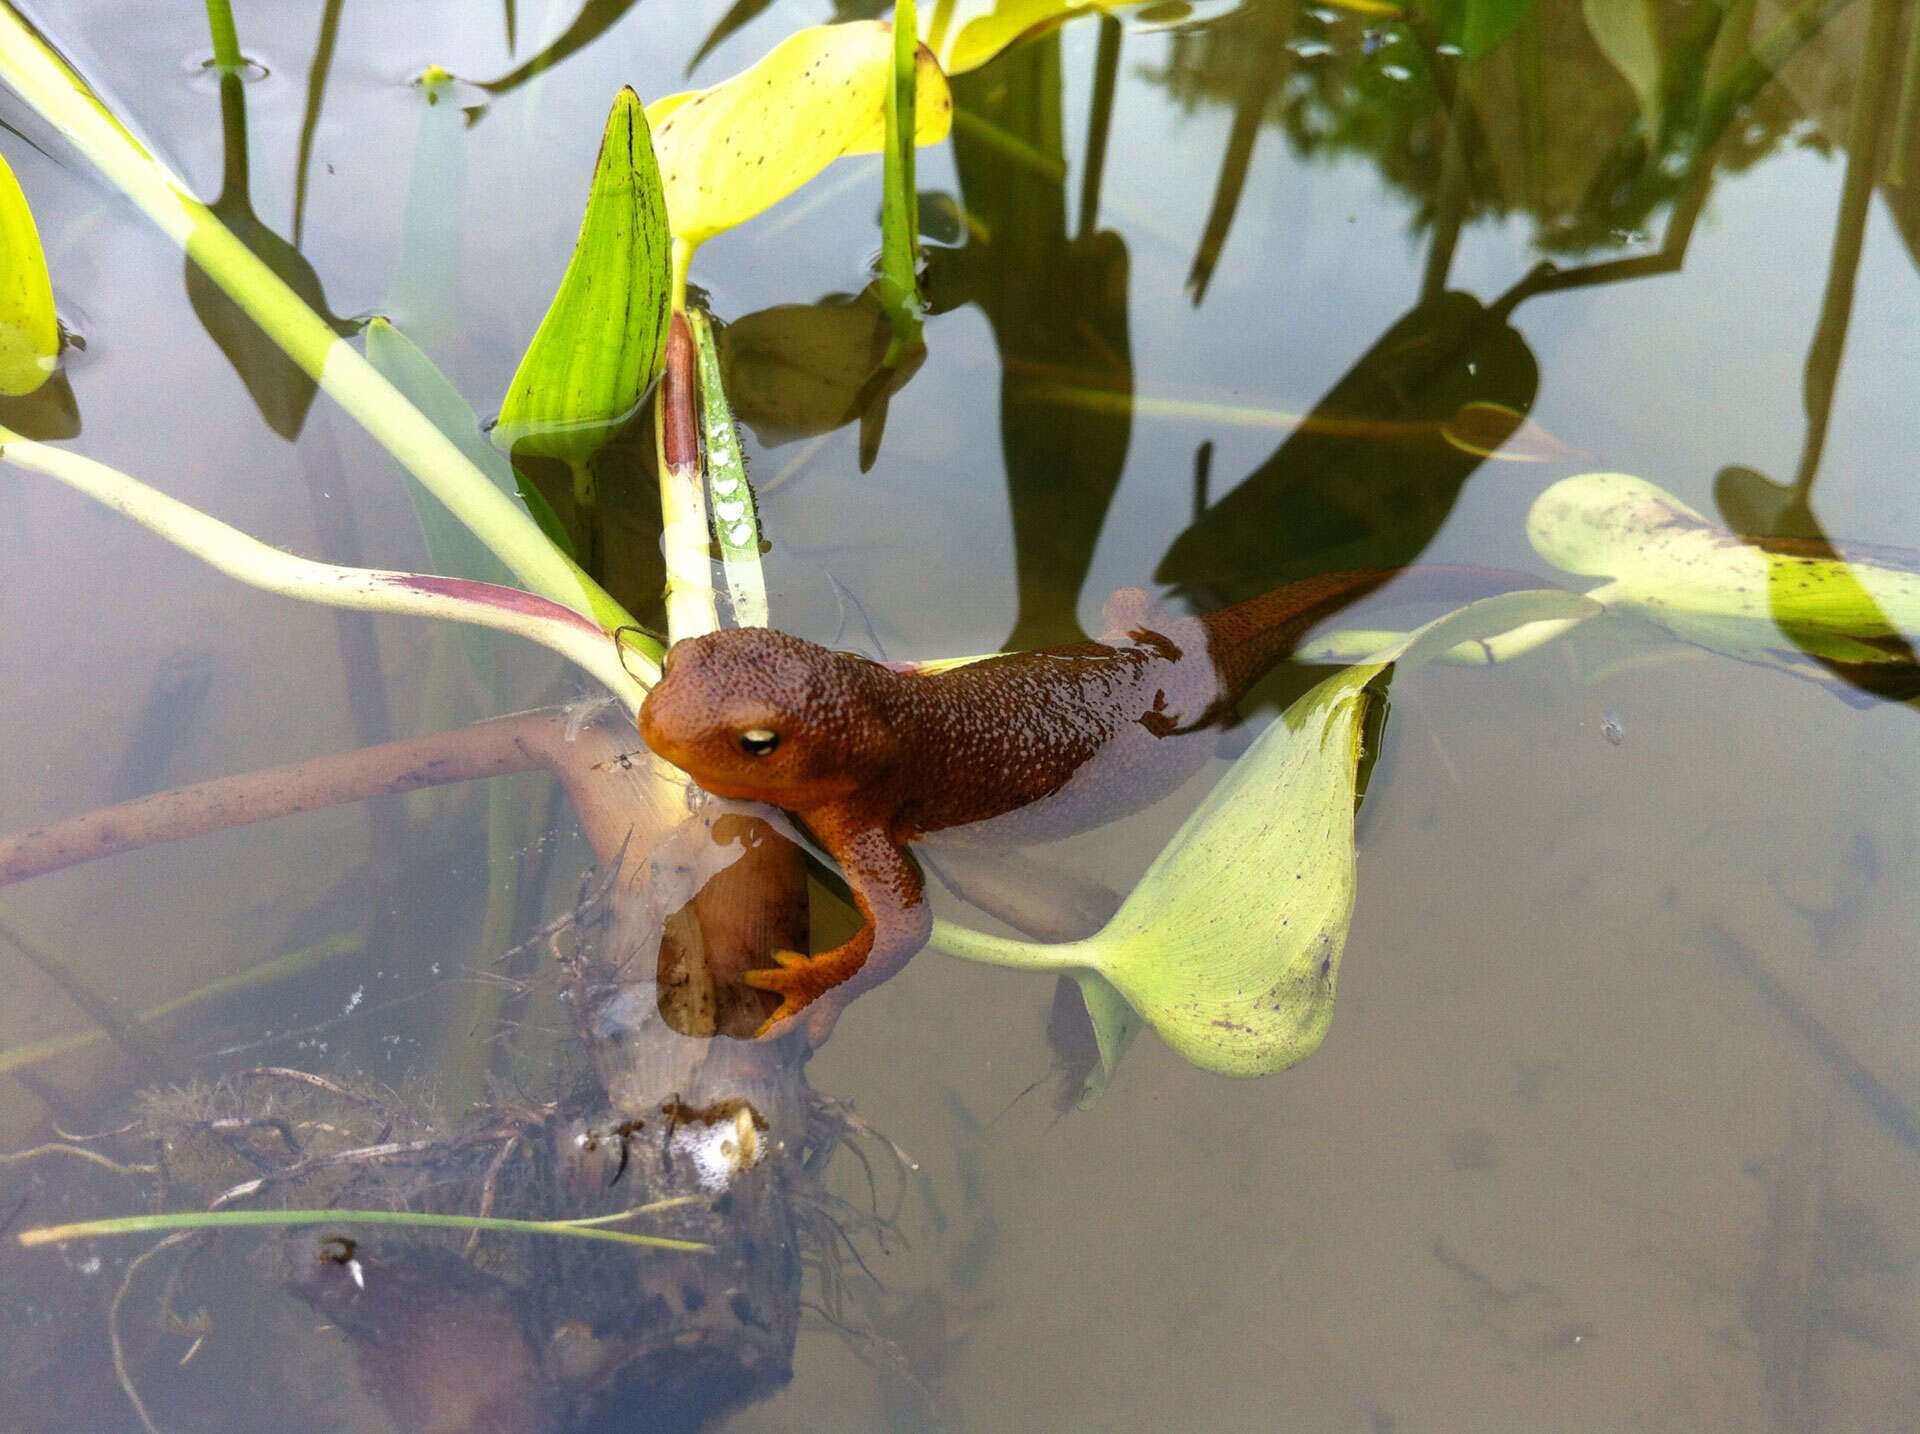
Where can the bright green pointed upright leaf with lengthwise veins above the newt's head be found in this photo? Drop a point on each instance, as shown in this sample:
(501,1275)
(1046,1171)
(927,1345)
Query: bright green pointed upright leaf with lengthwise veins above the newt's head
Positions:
(602,343)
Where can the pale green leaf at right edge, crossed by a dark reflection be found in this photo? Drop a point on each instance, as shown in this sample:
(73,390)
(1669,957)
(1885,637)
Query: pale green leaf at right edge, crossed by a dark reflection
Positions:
(1714,588)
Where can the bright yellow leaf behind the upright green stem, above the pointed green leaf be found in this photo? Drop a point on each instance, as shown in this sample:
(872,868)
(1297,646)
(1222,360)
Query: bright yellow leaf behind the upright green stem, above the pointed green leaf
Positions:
(748,143)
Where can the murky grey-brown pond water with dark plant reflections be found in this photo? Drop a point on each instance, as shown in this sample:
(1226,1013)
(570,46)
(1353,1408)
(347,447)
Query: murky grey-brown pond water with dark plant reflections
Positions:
(1616,1126)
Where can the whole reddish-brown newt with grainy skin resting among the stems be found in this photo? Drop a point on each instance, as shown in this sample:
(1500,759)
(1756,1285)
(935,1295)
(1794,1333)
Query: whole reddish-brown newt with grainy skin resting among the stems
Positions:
(1017,748)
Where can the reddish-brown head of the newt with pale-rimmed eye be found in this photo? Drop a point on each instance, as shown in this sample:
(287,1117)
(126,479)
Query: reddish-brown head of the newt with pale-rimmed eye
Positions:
(767,717)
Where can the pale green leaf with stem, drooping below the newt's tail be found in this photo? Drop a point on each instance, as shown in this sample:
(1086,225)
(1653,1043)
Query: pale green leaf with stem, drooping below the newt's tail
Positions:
(1230,945)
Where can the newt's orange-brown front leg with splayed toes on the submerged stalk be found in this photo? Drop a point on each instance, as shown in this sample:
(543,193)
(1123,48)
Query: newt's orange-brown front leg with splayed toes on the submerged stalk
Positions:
(894,905)
